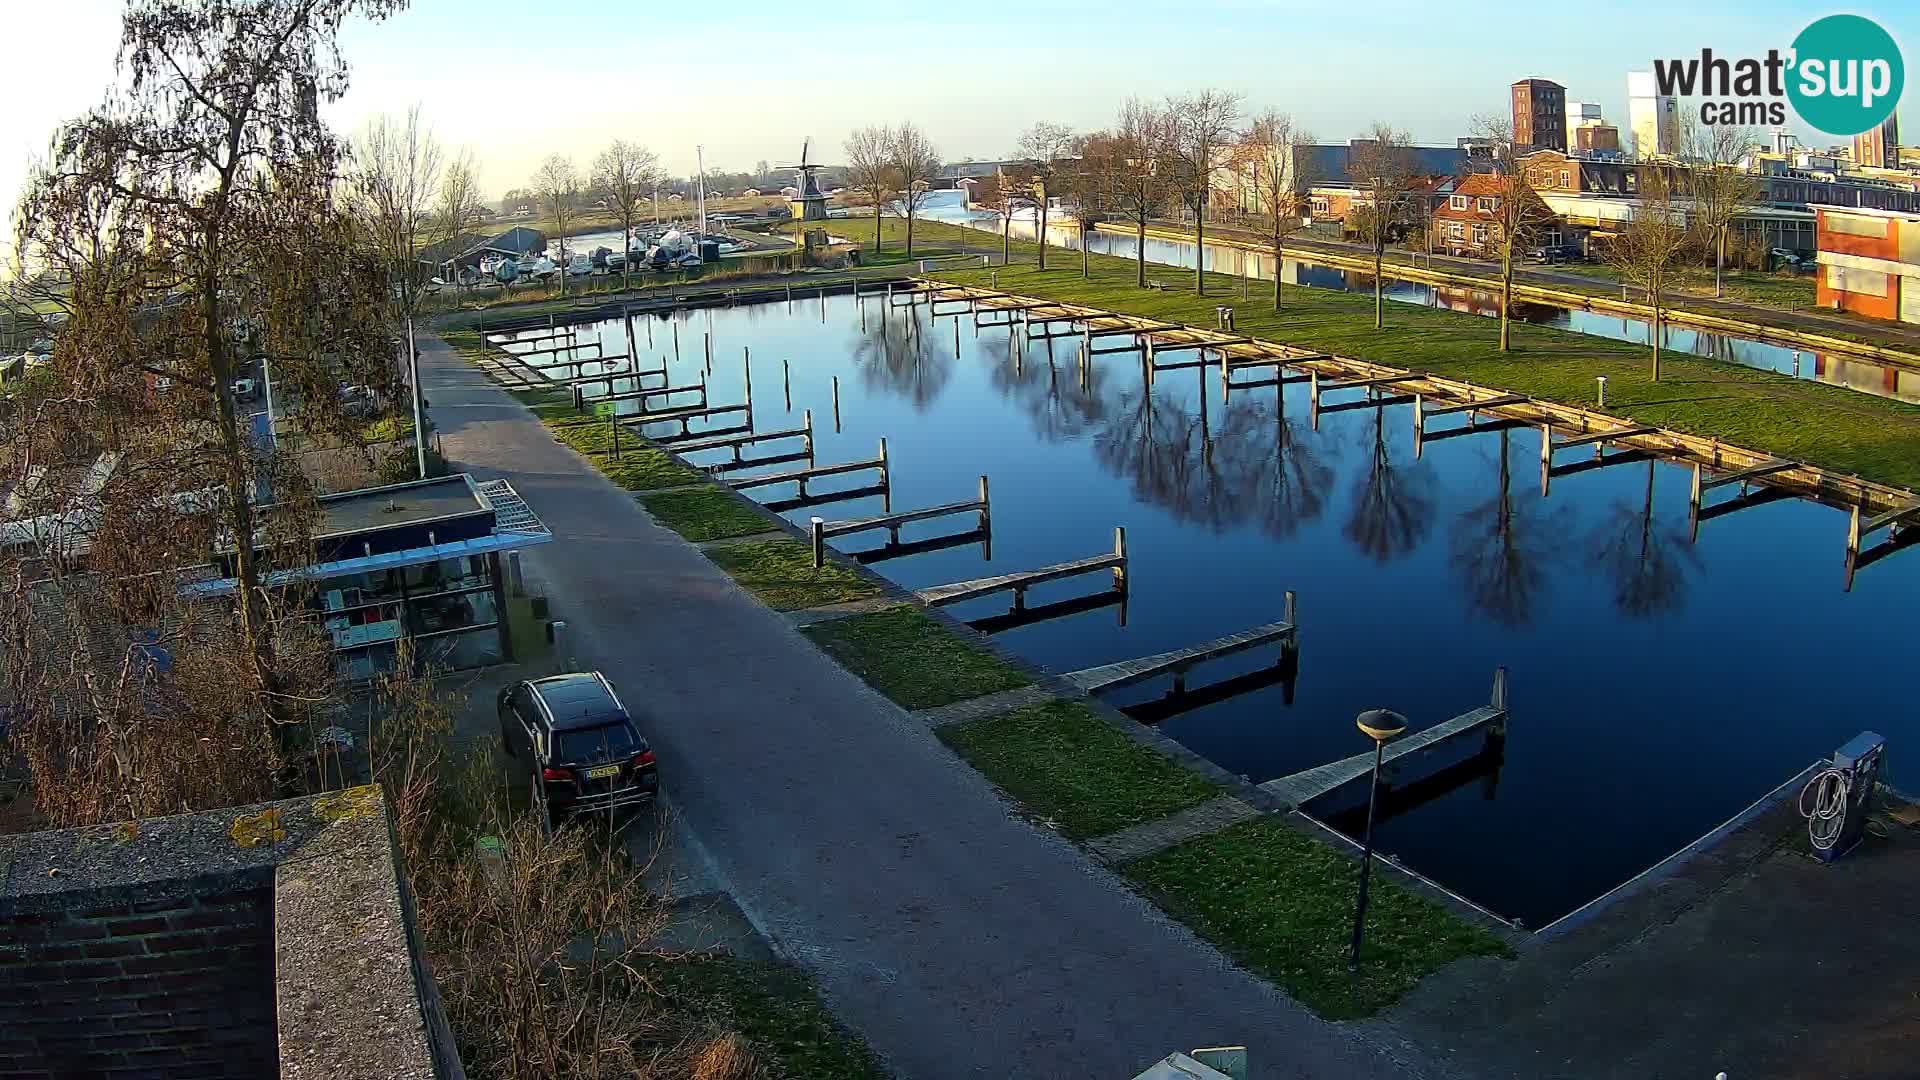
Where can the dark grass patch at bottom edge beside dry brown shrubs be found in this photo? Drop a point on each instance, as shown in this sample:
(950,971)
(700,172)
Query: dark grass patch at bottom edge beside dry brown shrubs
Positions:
(775,1010)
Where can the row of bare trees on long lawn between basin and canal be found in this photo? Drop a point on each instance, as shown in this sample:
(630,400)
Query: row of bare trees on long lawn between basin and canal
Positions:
(1170,155)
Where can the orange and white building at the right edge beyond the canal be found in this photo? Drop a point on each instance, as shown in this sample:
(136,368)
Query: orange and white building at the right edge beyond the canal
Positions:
(1869,262)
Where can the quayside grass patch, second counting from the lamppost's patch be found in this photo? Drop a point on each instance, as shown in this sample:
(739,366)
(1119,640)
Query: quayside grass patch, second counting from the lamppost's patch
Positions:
(1076,772)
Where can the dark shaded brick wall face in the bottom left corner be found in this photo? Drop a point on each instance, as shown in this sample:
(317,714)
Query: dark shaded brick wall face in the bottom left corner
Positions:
(162,989)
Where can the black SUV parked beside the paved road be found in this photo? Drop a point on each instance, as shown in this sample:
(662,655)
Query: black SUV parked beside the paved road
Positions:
(587,754)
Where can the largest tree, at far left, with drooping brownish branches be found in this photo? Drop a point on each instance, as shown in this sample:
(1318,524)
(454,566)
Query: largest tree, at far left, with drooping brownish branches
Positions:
(197,226)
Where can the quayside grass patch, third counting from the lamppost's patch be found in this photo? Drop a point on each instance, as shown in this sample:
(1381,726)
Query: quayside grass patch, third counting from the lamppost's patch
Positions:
(913,660)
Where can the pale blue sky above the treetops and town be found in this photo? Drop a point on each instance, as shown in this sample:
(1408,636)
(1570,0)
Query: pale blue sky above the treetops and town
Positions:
(517,80)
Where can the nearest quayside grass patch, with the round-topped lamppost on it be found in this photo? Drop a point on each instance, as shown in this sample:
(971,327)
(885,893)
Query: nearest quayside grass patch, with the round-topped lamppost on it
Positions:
(1284,906)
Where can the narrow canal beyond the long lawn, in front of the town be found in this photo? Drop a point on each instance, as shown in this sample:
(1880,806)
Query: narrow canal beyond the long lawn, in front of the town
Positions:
(1856,374)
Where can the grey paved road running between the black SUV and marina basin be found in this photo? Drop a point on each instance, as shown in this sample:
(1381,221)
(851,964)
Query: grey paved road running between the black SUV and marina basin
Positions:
(955,937)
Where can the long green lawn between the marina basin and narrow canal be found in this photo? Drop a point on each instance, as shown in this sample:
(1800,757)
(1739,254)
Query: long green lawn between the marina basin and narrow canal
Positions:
(1777,414)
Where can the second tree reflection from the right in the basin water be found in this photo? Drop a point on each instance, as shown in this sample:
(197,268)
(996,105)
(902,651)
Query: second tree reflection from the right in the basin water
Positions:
(1504,547)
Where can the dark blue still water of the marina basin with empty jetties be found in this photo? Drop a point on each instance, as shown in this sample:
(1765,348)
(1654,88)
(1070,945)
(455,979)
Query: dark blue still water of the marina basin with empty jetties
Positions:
(1658,685)
